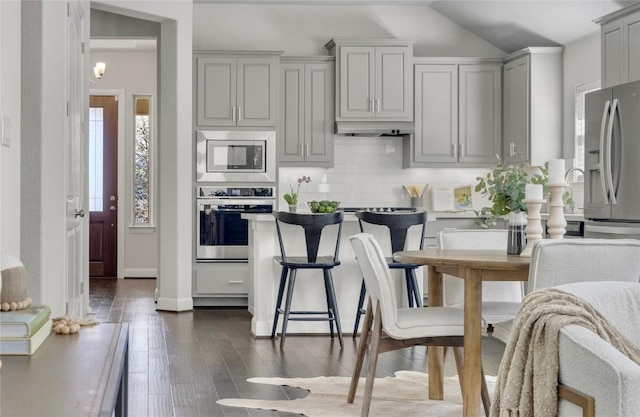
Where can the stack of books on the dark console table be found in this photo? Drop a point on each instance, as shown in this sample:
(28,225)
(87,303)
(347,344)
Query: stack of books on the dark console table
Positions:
(23,331)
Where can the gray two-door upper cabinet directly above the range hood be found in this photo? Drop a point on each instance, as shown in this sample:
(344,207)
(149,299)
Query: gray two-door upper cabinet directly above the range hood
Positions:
(373,79)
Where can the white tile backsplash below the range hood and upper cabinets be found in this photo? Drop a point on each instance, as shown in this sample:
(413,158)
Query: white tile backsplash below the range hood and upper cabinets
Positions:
(368,173)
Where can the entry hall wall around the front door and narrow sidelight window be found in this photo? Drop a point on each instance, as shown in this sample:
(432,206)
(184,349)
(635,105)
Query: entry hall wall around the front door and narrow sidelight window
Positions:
(135,72)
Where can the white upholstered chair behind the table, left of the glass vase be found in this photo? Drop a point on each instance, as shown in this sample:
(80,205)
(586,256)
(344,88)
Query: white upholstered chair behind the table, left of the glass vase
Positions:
(500,300)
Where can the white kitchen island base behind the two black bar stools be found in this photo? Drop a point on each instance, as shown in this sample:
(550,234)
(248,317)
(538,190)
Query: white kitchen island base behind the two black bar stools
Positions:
(264,273)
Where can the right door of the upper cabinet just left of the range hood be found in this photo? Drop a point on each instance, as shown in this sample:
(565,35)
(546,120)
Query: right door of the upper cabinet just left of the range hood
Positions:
(318,112)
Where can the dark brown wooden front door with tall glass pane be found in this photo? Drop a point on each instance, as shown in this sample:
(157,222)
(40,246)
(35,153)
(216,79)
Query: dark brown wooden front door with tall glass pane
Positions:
(103,186)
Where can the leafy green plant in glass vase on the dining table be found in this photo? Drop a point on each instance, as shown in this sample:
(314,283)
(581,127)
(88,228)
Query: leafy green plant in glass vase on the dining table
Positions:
(505,187)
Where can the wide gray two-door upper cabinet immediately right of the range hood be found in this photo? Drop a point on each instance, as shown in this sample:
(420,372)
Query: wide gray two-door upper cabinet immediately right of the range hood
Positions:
(457,113)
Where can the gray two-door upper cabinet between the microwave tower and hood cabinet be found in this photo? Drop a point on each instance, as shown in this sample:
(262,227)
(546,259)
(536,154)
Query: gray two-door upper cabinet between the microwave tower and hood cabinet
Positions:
(305,136)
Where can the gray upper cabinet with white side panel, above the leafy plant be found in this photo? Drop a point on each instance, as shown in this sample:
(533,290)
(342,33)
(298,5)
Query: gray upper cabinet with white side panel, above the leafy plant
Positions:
(532,105)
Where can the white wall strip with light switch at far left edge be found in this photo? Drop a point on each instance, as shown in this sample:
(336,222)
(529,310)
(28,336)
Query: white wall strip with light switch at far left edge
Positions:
(10,107)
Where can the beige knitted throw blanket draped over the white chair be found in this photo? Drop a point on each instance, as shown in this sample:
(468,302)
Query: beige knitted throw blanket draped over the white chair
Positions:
(528,376)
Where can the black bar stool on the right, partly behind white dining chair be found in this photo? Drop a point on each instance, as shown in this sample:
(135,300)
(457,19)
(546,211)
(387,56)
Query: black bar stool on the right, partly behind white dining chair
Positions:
(398,224)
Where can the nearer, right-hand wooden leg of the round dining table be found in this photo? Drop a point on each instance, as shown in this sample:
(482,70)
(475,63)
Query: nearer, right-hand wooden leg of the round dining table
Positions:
(472,343)
